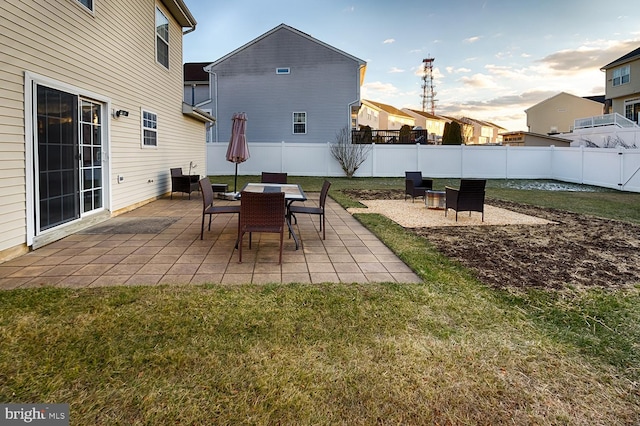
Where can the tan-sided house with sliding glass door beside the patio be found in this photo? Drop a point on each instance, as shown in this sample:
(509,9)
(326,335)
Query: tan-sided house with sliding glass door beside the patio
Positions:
(91,116)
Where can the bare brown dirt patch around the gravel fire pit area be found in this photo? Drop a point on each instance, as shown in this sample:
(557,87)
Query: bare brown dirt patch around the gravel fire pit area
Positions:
(575,250)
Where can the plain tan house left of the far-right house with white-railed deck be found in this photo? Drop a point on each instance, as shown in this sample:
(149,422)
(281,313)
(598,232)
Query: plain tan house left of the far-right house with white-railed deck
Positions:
(558,113)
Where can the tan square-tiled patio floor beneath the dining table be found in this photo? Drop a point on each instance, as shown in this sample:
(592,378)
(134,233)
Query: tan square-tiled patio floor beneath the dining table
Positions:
(175,255)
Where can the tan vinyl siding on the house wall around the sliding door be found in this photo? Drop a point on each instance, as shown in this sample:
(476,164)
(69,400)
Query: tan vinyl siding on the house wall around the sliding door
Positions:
(111,54)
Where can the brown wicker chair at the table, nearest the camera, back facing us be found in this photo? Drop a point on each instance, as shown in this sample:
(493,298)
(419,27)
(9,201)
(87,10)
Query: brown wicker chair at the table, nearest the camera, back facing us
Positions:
(261,212)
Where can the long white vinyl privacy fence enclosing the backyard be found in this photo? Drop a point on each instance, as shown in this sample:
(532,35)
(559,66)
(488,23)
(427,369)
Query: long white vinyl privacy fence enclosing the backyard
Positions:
(611,168)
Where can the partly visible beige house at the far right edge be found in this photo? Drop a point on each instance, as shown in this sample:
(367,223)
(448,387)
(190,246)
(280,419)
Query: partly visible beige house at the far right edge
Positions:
(623,85)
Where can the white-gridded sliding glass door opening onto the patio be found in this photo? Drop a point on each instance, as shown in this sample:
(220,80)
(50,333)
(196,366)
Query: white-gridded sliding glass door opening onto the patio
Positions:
(69,157)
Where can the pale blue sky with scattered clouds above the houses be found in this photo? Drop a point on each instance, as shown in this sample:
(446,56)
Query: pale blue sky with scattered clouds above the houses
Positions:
(493,59)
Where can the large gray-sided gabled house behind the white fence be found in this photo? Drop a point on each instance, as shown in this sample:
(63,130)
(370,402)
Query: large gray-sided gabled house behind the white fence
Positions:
(292,87)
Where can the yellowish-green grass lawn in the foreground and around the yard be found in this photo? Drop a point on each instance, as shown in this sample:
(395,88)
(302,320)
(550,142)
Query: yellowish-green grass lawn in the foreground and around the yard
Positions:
(446,351)
